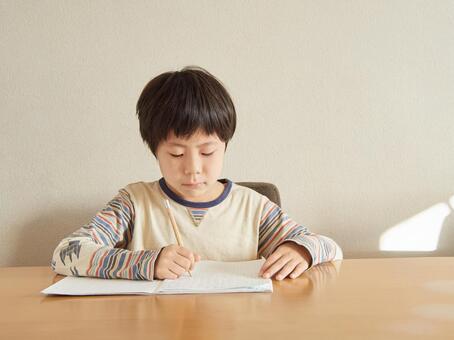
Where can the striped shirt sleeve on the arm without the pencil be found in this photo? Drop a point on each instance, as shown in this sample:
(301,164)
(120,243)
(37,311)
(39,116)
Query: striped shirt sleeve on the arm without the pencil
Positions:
(276,228)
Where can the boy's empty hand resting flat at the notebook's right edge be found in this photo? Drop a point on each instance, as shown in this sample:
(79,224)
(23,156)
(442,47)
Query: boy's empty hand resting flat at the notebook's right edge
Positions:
(288,258)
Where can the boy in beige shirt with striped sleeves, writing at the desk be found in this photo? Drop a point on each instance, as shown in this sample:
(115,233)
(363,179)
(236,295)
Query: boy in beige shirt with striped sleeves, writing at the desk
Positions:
(187,119)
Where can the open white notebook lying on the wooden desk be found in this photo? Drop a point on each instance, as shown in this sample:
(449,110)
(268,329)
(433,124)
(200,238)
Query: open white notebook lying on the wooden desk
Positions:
(207,277)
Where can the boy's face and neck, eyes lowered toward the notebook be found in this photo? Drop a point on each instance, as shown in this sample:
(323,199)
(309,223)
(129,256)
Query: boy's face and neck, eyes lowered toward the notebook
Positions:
(192,166)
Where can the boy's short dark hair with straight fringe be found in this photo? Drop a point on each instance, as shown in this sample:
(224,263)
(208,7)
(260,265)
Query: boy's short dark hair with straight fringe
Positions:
(183,102)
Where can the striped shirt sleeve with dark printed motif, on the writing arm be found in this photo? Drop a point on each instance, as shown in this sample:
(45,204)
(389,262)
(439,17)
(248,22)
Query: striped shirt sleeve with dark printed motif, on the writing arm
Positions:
(98,249)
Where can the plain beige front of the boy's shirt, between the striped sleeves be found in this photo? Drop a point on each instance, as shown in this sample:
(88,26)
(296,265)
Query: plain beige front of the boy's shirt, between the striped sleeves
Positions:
(229,230)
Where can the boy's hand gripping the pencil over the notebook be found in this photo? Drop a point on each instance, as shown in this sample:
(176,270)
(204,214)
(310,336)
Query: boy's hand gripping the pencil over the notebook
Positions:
(173,261)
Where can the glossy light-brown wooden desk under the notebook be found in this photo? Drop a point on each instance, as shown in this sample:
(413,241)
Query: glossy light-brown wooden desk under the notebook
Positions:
(406,298)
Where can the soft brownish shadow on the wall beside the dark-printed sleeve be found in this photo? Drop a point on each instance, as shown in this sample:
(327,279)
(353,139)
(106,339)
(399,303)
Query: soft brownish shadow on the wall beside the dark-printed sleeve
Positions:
(38,238)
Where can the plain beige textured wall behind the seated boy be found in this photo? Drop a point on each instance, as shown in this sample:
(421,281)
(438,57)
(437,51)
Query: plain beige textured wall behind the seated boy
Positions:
(346,105)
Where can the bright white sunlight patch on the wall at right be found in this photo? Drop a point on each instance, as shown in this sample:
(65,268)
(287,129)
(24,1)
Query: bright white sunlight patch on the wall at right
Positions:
(419,233)
